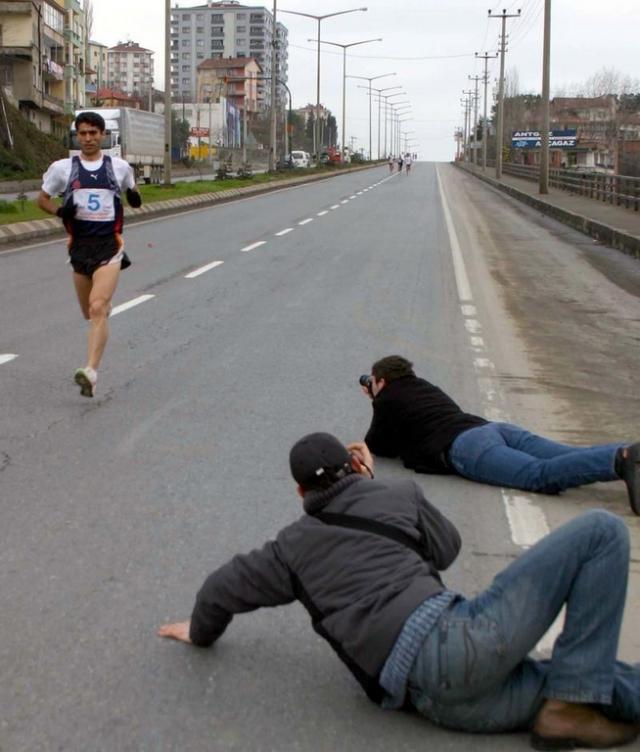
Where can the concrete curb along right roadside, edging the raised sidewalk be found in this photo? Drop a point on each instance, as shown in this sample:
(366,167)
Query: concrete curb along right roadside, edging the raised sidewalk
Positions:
(611,236)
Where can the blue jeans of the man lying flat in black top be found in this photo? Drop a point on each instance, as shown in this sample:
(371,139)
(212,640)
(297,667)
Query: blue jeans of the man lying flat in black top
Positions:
(506,455)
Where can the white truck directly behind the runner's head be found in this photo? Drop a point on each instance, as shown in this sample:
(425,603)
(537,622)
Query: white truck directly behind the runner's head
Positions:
(136,136)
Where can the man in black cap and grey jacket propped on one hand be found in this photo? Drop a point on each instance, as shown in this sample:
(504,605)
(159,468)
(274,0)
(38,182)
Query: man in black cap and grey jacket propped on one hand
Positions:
(365,560)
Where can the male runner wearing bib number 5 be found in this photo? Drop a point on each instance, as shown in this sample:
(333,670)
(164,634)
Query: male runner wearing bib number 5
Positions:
(92,214)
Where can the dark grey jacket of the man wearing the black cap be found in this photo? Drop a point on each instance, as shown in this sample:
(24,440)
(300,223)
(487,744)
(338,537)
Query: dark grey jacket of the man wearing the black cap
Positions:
(358,587)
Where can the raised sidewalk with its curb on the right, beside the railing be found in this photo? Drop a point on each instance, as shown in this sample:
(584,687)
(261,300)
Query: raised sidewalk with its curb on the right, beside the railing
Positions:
(611,225)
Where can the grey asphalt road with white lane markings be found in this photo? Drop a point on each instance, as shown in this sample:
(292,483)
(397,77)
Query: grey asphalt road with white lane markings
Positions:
(113,510)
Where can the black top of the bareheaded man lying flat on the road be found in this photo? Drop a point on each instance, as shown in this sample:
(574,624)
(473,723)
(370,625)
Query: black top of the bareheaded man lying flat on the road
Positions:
(417,421)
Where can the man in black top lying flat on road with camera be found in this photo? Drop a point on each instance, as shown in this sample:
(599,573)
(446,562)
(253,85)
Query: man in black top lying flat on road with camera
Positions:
(417,421)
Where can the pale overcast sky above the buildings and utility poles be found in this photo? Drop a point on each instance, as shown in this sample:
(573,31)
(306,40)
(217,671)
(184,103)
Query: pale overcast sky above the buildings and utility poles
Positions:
(429,44)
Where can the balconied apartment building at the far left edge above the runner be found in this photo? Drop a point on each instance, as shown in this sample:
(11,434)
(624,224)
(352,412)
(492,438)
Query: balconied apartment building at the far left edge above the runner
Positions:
(42,59)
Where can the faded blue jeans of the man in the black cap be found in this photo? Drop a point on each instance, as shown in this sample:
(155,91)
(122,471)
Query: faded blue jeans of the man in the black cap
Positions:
(473,672)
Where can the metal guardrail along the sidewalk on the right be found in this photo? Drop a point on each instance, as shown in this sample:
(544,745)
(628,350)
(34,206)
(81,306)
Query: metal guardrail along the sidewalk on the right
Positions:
(618,190)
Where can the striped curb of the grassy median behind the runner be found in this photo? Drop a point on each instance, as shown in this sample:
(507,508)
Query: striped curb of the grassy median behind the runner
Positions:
(19,232)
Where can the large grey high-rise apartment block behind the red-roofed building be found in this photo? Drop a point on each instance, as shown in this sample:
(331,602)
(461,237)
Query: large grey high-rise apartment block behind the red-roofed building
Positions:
(225,30)
